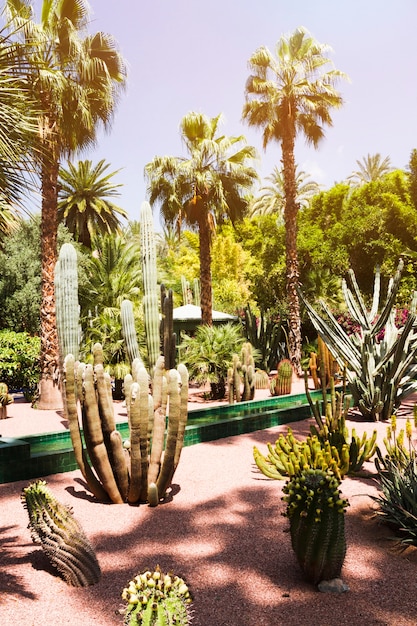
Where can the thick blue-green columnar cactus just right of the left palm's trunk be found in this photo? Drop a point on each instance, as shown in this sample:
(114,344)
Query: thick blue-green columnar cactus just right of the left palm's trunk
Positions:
(66,296)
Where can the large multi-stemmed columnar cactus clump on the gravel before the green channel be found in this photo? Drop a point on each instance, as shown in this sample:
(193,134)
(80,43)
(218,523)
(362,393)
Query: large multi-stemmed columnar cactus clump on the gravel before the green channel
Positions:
(146,471)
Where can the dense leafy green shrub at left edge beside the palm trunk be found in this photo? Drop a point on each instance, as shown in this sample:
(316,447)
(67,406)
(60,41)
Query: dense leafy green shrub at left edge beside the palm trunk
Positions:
(19,365)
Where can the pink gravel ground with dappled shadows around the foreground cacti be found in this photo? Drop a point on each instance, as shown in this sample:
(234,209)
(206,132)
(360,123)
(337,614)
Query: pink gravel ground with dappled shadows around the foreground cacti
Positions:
(223,531)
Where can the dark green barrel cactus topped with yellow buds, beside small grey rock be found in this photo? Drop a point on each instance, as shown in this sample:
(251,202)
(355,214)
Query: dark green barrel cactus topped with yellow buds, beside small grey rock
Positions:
(316,512)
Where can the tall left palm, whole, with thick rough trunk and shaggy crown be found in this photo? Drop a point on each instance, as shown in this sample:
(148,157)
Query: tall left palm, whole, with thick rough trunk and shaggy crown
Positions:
(75,79)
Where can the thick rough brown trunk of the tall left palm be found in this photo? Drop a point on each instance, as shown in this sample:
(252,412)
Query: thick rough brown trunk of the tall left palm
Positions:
(49,390)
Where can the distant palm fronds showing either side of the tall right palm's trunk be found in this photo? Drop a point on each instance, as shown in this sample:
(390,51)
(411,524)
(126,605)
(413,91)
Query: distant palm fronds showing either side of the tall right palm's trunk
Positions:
(271,198)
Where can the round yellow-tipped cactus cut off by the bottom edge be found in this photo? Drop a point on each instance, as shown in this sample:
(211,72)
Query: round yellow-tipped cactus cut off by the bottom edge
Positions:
(157,599)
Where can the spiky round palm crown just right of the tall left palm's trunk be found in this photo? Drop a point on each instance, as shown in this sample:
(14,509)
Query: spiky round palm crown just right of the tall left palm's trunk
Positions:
(84,204)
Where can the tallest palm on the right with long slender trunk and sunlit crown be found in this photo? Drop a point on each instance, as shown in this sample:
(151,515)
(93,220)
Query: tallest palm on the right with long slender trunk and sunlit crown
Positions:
(288,94)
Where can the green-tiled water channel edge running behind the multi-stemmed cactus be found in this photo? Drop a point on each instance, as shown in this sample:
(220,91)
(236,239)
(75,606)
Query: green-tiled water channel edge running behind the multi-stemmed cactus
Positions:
(22,458)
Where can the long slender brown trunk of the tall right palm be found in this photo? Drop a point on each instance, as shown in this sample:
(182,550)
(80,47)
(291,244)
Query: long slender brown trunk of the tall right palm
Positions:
(291,260)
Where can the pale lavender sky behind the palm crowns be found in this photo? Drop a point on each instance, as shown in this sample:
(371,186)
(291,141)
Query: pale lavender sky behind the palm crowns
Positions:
(191,55)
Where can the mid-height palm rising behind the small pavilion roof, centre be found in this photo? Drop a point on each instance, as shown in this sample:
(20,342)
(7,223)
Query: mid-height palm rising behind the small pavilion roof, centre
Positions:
(206,187)
